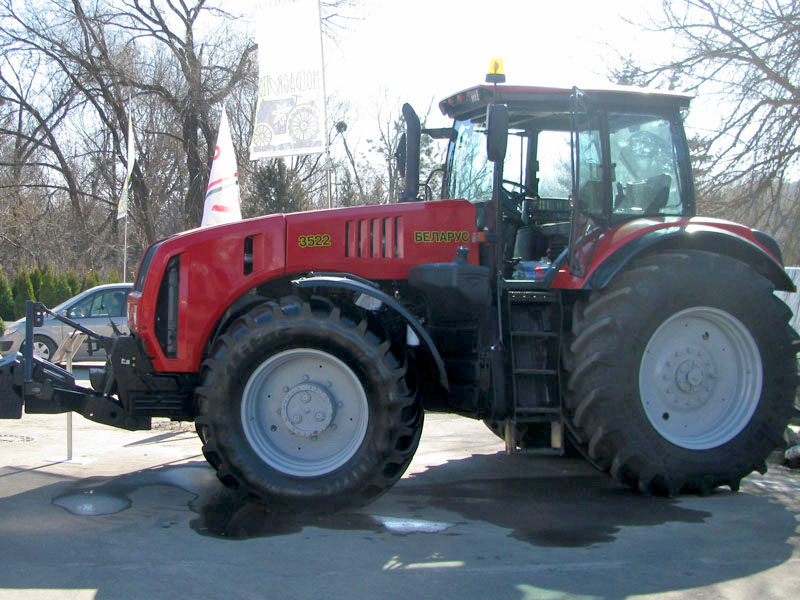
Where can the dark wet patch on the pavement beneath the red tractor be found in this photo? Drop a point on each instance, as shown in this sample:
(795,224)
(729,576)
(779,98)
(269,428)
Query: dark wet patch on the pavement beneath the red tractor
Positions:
(567,506)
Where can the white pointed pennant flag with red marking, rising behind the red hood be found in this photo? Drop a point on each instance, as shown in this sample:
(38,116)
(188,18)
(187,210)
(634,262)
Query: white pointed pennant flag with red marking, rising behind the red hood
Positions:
(222,195)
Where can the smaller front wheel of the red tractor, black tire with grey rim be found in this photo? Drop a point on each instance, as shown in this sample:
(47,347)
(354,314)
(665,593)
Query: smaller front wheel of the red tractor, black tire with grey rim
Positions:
(306,407)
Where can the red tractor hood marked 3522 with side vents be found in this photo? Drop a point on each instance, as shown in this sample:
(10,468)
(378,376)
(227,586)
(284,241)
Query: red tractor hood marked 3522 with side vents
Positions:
(215,266)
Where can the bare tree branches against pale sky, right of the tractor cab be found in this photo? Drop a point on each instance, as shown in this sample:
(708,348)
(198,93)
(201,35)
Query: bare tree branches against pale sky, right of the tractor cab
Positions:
(744,55)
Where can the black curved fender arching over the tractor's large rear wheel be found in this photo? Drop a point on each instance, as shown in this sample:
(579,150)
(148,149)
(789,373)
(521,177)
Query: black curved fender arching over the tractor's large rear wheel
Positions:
(695,237)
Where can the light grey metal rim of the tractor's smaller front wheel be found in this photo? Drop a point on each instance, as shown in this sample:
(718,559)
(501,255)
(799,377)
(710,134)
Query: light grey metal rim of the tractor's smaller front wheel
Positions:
(304,412)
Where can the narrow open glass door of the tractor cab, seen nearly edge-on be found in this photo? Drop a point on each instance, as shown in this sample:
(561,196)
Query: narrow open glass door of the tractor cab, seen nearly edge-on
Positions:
(590,183)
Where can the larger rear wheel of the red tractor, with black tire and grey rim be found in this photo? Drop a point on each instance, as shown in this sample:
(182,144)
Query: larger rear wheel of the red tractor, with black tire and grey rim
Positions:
(682,373)
